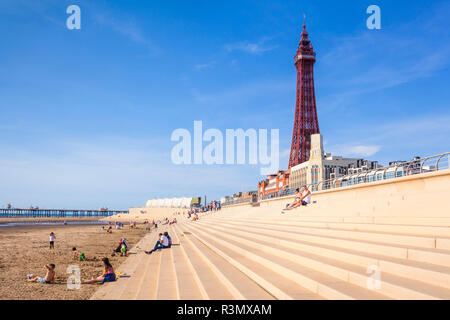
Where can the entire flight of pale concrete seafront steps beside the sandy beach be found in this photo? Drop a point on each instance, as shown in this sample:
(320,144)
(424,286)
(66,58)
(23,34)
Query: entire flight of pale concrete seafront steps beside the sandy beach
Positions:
(388,240)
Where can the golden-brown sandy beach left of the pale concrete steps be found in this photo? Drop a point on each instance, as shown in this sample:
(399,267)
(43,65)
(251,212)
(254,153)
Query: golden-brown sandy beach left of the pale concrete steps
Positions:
(26,250)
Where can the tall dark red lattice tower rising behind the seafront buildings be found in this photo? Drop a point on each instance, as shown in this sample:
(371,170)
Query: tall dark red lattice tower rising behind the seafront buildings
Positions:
(305,122)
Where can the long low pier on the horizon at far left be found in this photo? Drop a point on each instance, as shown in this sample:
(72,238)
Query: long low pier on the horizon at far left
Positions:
(57,213)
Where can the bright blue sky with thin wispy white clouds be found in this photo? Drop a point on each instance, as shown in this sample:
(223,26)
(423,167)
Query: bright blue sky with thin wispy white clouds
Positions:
(86,115)
